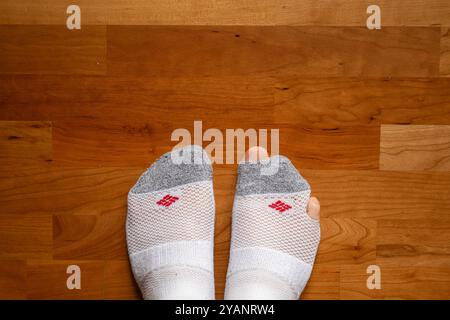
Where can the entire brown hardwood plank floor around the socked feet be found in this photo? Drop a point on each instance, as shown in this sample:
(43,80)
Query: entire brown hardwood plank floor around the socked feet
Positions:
(364,115)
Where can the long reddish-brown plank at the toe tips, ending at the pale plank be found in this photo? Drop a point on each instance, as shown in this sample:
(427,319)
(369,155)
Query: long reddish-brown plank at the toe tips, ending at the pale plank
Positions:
(137,143)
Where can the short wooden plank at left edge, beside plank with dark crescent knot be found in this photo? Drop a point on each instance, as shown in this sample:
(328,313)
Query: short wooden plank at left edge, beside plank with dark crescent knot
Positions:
(25,236)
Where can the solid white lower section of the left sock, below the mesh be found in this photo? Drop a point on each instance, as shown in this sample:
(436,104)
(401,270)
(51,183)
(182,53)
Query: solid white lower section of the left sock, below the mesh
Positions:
(175,270)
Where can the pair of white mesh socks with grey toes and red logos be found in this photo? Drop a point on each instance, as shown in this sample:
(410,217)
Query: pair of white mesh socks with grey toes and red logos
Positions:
(170,230)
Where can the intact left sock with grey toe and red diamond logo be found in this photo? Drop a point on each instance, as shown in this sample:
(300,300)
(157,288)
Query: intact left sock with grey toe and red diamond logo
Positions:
(170,228)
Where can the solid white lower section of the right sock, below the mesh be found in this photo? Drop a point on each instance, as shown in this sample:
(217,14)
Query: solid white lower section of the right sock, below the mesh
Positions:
(265,270)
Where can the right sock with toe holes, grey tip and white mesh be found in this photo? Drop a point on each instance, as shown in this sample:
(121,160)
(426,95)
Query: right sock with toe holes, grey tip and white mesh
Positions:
(274,241)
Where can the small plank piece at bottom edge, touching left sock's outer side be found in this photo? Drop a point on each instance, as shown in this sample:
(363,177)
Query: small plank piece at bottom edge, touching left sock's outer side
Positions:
(119,281)
